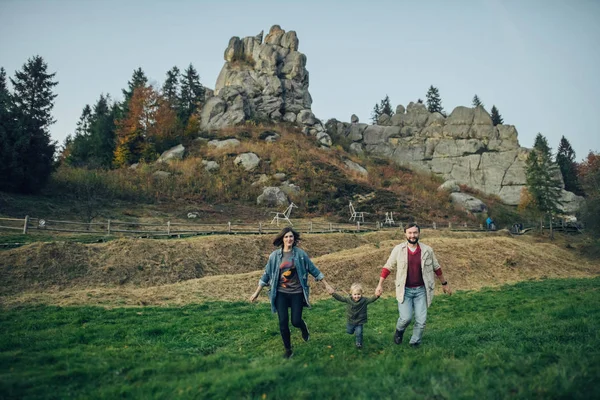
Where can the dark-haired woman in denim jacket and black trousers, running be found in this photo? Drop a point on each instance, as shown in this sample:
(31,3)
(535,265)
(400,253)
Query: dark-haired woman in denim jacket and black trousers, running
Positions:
(286,273)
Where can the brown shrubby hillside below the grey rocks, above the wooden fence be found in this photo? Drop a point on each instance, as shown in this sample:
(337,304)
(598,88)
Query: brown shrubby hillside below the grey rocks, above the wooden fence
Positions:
(322,187)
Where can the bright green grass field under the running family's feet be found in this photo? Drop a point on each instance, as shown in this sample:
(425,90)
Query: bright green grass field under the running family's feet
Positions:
(530,340)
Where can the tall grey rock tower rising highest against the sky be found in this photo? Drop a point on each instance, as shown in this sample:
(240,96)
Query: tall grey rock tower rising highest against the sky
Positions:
(262,81)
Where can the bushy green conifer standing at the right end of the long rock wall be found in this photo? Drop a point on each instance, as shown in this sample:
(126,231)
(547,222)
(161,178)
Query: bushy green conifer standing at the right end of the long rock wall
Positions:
(542,177)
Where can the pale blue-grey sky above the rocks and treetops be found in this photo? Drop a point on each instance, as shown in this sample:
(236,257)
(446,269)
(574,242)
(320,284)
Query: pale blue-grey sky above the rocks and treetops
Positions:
(537,61)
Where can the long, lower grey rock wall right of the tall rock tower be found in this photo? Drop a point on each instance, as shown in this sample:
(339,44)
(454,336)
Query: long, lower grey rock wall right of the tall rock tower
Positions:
(464,147)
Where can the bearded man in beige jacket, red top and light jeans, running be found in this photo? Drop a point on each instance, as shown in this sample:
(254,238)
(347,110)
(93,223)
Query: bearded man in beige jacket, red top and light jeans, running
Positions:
(416,265)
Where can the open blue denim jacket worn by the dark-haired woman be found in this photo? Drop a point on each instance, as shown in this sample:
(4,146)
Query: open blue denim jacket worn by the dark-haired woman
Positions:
(304,266)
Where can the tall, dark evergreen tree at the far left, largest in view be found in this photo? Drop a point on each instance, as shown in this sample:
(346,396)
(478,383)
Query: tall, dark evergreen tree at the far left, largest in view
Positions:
(29,140)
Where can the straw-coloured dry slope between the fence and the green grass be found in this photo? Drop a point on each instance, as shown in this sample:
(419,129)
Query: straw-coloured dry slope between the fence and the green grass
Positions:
(136,272)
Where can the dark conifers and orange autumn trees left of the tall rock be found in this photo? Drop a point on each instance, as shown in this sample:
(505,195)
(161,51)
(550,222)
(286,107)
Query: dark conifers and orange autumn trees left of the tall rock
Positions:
(109,134)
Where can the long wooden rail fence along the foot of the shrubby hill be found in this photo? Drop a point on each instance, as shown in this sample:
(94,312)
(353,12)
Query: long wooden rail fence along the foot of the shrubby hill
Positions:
(110,227)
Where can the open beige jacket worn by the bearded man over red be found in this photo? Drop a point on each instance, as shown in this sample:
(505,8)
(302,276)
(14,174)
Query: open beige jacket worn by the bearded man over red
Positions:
(429,264)
